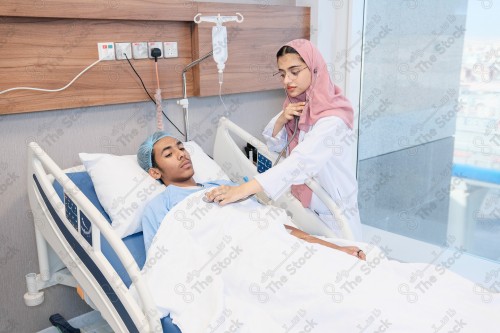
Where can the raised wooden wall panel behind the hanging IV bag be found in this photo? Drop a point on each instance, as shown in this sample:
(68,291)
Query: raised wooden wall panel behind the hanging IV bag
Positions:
(252,46)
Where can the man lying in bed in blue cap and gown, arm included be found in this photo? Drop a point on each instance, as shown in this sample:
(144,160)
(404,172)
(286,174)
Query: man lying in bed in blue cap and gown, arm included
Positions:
(165,159)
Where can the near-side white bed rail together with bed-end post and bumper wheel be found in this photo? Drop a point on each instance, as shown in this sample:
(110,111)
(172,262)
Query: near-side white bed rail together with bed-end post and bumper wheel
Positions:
(86,264)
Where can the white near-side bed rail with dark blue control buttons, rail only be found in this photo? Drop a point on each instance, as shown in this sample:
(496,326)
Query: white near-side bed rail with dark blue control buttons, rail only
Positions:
(88,217)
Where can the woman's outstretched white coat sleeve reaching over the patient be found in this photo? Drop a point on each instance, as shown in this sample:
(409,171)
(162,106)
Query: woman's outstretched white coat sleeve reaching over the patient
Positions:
(307,159)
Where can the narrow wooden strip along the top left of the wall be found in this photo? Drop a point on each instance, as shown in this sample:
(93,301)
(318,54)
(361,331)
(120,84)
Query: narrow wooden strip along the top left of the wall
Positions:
(159,10)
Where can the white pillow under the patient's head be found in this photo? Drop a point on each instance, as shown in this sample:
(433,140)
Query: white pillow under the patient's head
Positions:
(124,189)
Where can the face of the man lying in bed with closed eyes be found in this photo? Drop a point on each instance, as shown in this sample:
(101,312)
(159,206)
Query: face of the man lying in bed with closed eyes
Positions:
(173,162)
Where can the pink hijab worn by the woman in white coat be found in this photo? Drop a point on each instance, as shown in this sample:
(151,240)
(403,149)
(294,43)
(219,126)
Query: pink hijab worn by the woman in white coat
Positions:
(323,99)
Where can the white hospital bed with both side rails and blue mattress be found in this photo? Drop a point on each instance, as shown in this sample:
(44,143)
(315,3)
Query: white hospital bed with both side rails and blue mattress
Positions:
(77,246)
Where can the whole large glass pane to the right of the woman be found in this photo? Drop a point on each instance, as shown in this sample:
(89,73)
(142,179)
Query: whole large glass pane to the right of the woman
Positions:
(429,123)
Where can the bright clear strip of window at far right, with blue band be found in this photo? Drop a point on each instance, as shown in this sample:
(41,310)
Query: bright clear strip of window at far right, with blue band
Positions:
(476,157)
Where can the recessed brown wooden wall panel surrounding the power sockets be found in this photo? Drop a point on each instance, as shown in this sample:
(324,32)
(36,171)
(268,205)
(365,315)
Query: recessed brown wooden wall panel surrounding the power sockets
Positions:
(49,53)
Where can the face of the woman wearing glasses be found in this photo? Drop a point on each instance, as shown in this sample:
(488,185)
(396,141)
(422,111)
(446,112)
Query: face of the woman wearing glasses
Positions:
(294,73)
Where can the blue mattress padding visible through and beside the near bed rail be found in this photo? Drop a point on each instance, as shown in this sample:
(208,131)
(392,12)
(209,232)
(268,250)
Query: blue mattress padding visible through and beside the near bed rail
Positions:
(135,242)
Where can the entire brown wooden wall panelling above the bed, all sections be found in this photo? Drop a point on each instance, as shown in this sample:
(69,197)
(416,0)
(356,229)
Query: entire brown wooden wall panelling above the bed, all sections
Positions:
(46,44)
